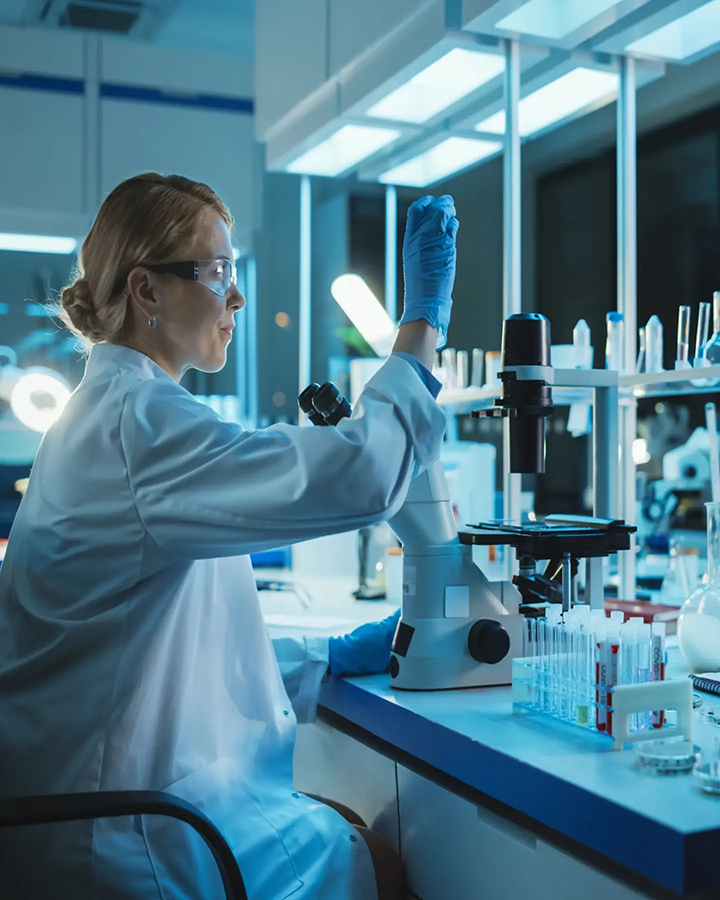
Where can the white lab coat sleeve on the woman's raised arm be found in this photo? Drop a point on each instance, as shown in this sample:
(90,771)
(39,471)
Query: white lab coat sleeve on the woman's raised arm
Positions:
(204,488)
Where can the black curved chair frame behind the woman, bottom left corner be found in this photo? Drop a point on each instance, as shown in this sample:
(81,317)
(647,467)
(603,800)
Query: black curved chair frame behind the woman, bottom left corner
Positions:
(111,804)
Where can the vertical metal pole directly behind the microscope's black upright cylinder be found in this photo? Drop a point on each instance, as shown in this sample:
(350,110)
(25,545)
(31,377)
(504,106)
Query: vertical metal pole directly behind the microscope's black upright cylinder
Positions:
(512,302)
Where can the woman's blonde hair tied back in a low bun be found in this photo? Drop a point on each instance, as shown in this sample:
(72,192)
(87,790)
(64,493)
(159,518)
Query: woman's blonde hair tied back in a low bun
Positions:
(147,218)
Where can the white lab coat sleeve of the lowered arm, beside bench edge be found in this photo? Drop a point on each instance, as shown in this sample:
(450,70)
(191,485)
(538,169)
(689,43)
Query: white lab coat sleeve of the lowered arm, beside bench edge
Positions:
(303,665)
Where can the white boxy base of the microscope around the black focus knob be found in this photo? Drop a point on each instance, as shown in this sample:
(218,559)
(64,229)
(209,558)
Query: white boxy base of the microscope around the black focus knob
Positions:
(438,659)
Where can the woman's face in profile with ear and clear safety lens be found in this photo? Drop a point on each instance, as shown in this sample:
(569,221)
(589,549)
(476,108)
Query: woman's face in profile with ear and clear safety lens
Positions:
(194,319)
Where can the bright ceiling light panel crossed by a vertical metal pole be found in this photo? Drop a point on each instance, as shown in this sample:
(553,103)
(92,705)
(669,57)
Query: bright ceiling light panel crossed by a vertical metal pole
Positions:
(556,101)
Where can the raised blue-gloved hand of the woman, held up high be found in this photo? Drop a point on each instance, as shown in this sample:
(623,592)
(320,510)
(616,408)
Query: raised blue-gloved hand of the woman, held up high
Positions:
(429,262)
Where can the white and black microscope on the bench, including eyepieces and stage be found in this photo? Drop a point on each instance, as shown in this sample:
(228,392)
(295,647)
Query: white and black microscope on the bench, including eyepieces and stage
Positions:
(457,629)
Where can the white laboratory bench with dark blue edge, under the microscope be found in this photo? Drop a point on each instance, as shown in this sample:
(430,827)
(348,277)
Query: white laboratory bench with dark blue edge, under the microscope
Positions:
(484,803)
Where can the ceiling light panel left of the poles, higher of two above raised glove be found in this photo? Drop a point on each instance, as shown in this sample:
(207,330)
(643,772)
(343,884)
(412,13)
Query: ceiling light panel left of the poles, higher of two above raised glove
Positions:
(438,86)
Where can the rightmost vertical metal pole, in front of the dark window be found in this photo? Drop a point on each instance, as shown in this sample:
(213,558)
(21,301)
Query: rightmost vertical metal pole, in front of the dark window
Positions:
(627,299)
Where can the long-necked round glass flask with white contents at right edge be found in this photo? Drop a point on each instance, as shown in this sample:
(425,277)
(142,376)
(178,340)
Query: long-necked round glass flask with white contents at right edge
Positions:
(699,622)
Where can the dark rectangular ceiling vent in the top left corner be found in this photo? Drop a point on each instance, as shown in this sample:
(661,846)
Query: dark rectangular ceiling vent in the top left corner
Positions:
(138,18)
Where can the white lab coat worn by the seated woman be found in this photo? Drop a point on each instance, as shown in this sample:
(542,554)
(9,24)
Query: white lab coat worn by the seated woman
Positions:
(133,654)
